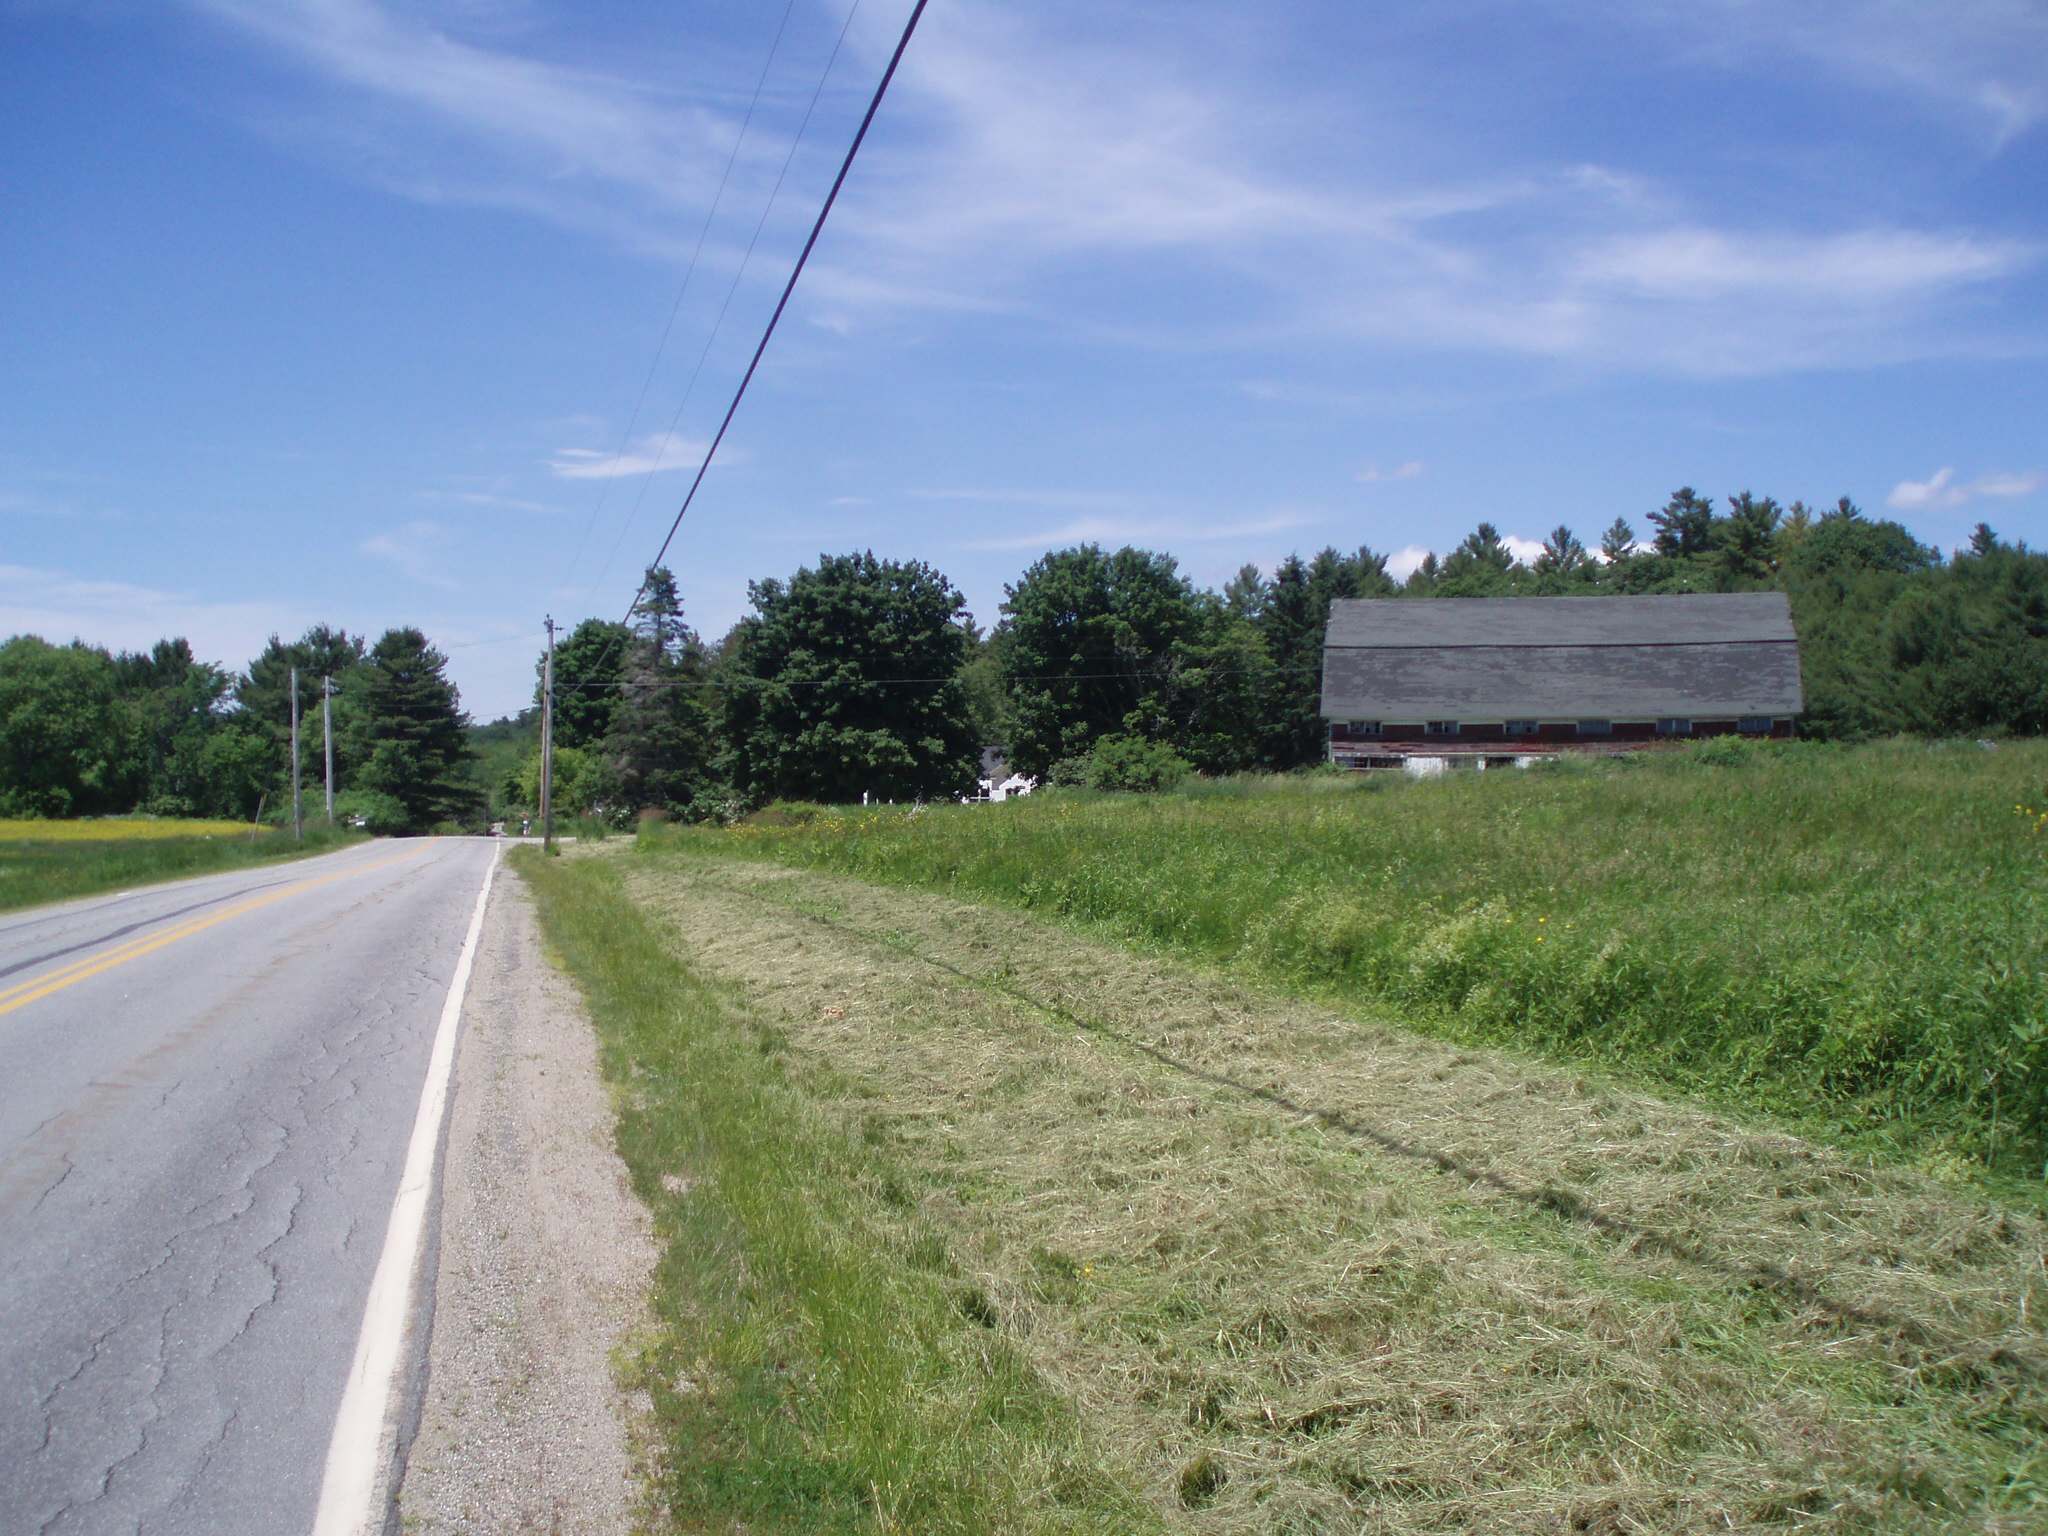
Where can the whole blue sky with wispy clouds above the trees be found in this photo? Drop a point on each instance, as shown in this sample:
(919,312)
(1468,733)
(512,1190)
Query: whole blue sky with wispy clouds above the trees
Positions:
(353,312)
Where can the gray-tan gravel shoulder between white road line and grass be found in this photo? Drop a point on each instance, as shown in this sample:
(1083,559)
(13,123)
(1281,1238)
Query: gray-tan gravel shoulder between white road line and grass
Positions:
(546,1263)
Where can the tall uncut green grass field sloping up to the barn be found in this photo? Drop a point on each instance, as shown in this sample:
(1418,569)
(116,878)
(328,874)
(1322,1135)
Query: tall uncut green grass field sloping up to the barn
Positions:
(1844,939)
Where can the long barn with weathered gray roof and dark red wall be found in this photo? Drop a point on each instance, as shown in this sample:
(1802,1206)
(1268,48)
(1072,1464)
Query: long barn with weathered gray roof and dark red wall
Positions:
(1482,677)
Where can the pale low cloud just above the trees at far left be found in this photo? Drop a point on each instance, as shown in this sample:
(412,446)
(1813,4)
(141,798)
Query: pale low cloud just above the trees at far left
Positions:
(128,617)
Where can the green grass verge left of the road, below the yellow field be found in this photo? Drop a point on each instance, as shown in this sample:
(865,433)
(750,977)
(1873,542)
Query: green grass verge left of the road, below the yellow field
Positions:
(60,867)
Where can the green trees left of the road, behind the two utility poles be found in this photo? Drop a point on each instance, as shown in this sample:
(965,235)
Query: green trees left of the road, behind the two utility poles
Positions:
(89,732)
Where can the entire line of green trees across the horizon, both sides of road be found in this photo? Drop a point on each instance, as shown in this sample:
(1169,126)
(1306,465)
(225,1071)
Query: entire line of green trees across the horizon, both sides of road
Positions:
(867,677)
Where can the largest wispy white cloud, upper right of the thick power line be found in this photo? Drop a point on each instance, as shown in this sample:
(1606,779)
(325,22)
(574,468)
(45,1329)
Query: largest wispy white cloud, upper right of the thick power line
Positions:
(1105,161)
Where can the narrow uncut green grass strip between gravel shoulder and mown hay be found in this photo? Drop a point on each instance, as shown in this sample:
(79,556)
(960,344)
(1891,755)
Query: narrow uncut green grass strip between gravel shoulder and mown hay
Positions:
(814,1365)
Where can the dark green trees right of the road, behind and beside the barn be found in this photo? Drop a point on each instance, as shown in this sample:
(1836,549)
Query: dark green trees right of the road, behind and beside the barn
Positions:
(867,677)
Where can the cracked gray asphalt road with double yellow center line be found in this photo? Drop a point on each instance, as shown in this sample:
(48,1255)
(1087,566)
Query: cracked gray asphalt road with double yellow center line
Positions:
(206,1105)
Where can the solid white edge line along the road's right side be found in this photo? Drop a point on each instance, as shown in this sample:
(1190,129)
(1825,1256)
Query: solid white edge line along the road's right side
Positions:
(361,1453)
